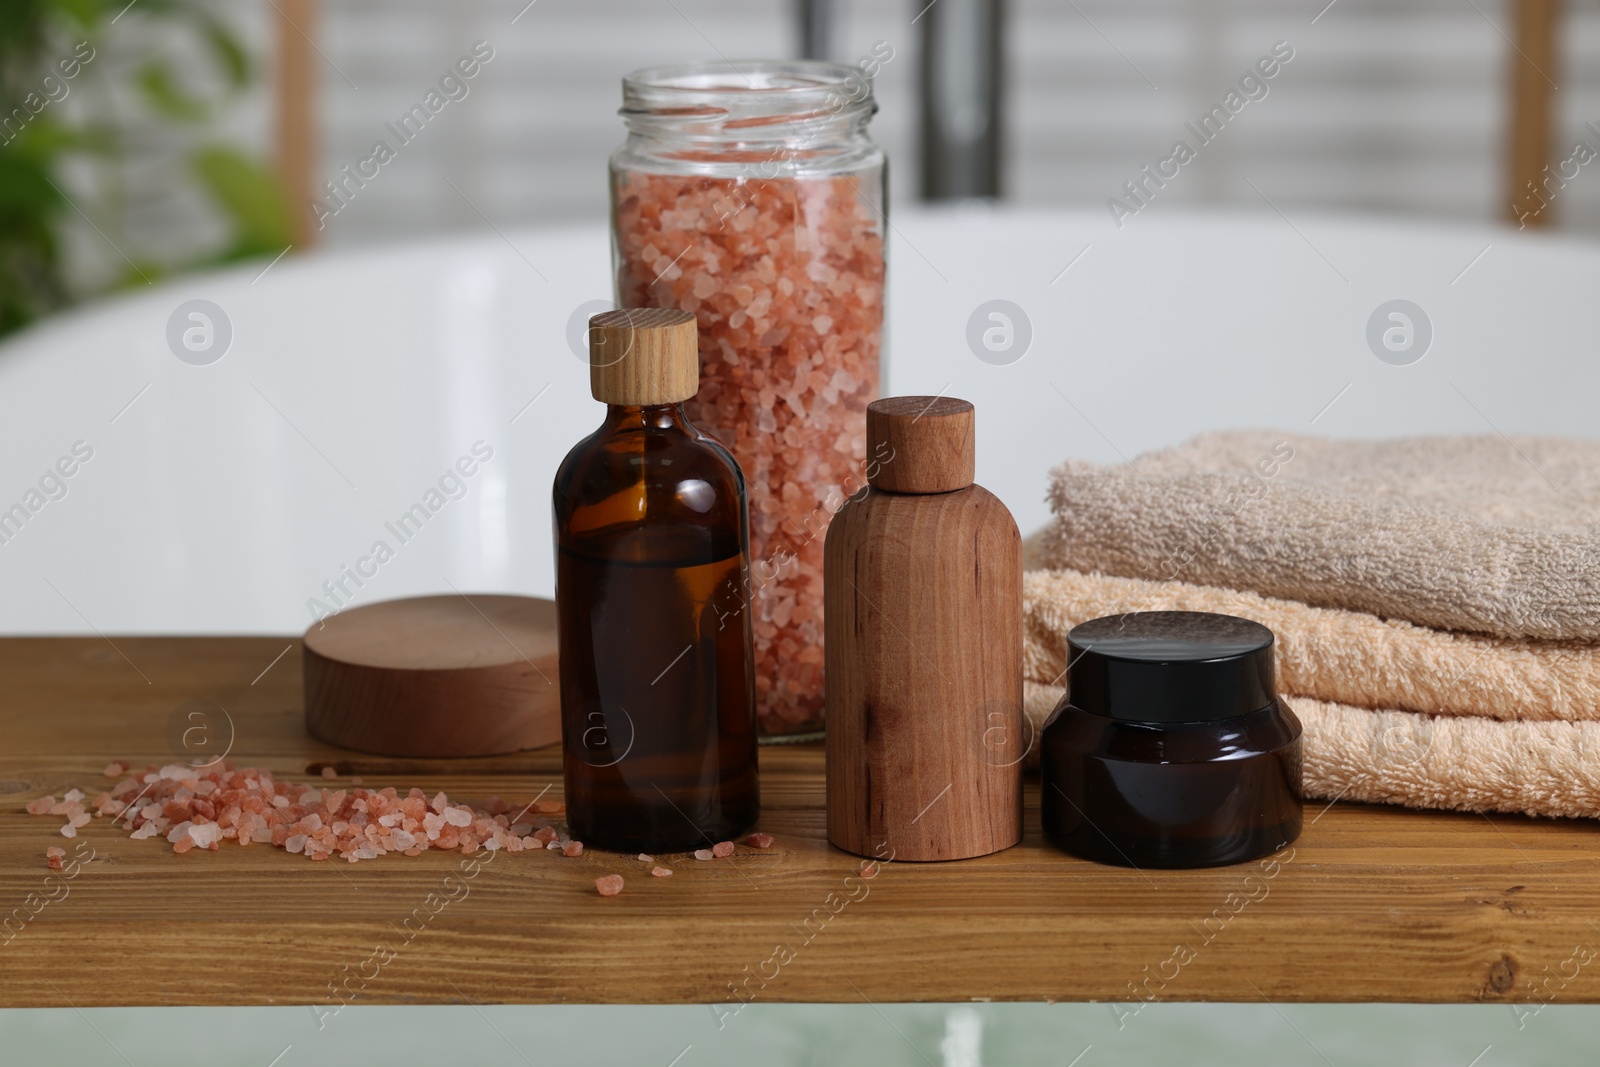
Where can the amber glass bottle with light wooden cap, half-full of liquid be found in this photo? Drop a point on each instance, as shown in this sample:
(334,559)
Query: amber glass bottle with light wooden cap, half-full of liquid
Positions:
(652,569)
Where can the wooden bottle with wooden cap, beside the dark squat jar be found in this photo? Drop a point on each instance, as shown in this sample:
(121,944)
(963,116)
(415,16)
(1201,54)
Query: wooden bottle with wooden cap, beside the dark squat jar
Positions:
(924,645)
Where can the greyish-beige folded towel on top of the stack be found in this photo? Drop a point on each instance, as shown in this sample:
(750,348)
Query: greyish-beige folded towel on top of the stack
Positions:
(1465,533)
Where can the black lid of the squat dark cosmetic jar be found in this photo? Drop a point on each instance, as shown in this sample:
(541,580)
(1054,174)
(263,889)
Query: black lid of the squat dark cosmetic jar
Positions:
(1170,666)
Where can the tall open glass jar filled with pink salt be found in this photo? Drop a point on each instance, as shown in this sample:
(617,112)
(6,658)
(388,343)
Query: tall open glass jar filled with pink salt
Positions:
(751,196)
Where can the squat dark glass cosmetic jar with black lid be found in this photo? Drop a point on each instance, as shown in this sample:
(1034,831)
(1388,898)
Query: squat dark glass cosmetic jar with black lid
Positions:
(1170,748)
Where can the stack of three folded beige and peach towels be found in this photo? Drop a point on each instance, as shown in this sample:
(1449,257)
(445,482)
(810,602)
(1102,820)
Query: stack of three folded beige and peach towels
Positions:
(1436,601)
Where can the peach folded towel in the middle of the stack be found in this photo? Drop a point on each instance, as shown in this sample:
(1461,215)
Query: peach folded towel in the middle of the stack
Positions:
(1334,655)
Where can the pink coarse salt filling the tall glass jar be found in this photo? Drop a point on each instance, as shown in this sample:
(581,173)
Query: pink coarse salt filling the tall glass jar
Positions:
(790,330)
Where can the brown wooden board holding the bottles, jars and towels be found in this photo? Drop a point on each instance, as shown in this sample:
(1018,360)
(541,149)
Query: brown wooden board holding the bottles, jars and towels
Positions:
(1374,903)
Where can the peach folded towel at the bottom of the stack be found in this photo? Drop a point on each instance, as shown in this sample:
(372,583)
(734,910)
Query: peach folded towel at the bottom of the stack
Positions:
(1433,762)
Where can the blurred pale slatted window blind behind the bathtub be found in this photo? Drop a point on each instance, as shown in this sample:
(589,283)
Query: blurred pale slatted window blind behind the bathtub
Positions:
(1386,106)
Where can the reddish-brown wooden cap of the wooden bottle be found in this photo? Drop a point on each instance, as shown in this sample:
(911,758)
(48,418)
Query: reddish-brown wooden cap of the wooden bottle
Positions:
(921,444)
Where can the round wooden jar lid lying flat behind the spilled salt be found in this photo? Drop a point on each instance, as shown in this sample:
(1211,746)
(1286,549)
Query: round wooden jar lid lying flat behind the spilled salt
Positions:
(454,676)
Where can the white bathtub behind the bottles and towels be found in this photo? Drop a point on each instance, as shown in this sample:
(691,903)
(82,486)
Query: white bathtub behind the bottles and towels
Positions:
(225,497)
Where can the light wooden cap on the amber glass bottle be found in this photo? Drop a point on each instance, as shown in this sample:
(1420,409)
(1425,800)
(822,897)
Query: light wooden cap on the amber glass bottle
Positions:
(644,356)
